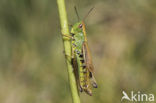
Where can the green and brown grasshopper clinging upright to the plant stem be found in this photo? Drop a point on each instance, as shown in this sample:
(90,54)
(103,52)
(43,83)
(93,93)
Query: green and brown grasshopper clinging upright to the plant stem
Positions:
(81,58)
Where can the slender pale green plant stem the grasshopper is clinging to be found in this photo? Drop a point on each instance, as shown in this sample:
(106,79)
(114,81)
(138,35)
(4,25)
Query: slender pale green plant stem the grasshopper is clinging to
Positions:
(67,48)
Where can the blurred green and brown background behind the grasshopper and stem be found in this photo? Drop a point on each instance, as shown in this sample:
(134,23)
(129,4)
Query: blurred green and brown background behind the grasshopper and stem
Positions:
(122,39)
